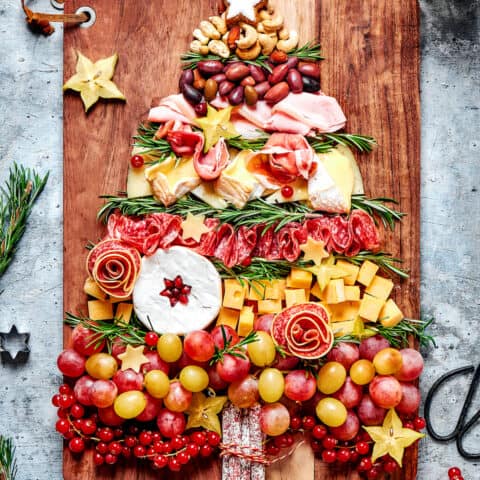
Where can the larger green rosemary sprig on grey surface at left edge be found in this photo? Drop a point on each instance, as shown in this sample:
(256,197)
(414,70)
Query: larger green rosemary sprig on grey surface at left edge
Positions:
(16,202)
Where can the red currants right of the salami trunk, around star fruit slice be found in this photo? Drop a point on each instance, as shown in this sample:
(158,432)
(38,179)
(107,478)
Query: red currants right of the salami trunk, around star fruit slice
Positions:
(356,452)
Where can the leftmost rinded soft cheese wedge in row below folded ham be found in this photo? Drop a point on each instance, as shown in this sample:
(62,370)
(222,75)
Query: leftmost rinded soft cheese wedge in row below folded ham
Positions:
(172,179)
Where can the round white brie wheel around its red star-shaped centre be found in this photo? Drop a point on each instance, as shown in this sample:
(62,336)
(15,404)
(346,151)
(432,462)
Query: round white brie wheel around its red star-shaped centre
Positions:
(204,300)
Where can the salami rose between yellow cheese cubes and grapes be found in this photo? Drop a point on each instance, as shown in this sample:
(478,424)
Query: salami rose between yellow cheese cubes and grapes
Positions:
(303,331)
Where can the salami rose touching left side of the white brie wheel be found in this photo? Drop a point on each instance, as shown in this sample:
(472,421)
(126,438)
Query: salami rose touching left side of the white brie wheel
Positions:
(115,267)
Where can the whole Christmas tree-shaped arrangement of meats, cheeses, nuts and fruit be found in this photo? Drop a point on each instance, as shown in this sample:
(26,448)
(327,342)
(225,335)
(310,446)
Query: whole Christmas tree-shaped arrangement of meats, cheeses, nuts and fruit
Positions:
(240,299)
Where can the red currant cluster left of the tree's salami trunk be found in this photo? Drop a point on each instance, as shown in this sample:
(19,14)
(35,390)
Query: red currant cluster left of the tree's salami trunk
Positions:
(82,429)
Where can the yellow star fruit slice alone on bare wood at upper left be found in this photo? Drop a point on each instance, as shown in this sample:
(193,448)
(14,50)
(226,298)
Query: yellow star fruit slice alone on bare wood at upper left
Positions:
(93,80)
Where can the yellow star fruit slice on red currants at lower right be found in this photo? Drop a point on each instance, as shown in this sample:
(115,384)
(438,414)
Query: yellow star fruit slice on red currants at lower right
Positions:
(391,437)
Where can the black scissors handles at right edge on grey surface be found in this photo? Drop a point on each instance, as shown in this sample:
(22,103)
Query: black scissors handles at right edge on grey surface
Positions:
(462,428)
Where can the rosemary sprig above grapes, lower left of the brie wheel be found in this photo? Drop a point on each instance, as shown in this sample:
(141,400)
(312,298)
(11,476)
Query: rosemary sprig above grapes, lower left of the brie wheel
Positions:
(132,333)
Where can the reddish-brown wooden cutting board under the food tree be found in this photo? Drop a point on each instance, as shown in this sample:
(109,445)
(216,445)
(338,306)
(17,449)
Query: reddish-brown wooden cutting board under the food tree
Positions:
(371,67)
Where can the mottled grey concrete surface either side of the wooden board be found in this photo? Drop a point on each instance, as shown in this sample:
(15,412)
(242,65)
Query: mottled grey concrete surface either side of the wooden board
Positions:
(31,290)
